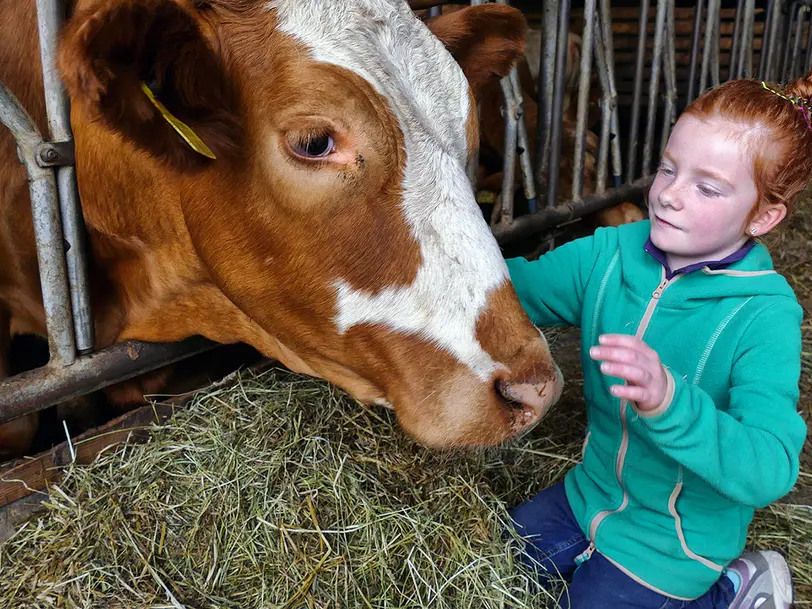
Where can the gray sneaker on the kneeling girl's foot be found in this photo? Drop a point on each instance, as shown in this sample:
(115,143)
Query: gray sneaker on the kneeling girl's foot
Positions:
(766,582)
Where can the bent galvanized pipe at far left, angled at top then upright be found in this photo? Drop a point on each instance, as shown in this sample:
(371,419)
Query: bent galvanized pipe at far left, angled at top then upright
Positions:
(47,229)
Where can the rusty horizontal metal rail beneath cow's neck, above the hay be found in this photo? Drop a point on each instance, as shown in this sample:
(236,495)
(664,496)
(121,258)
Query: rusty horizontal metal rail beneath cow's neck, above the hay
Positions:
(51,385)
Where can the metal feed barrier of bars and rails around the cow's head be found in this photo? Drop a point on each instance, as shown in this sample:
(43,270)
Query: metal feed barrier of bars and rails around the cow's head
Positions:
(772,42)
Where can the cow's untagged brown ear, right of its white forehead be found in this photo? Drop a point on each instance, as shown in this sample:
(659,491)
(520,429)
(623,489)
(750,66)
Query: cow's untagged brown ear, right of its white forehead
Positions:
(486,40)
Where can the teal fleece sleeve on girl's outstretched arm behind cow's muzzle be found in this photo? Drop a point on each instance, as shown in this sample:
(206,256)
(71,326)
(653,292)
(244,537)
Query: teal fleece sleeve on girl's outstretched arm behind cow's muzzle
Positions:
(551,289)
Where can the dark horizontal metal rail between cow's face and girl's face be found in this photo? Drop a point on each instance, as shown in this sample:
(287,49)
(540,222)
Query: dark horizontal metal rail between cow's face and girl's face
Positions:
(547,219)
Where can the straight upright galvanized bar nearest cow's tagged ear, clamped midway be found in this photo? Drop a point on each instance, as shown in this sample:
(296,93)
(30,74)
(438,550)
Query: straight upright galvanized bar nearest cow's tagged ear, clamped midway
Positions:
(50,15)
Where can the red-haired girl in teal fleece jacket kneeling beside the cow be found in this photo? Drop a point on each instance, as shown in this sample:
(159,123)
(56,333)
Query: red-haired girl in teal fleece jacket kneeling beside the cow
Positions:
(691,354)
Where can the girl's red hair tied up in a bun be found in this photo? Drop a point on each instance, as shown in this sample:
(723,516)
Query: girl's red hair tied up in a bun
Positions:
(780,137)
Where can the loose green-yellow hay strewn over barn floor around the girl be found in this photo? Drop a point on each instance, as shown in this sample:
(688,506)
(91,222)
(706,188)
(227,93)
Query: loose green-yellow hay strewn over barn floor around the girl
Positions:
(278,491)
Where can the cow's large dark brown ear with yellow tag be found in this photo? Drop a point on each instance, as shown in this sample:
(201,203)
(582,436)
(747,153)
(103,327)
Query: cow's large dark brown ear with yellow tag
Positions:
(143,66)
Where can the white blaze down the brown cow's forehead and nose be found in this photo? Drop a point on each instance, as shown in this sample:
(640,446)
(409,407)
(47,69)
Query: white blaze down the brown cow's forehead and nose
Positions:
(383,42)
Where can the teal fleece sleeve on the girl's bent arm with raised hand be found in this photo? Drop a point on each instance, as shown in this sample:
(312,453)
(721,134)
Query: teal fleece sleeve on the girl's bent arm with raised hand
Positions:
(749,453)
